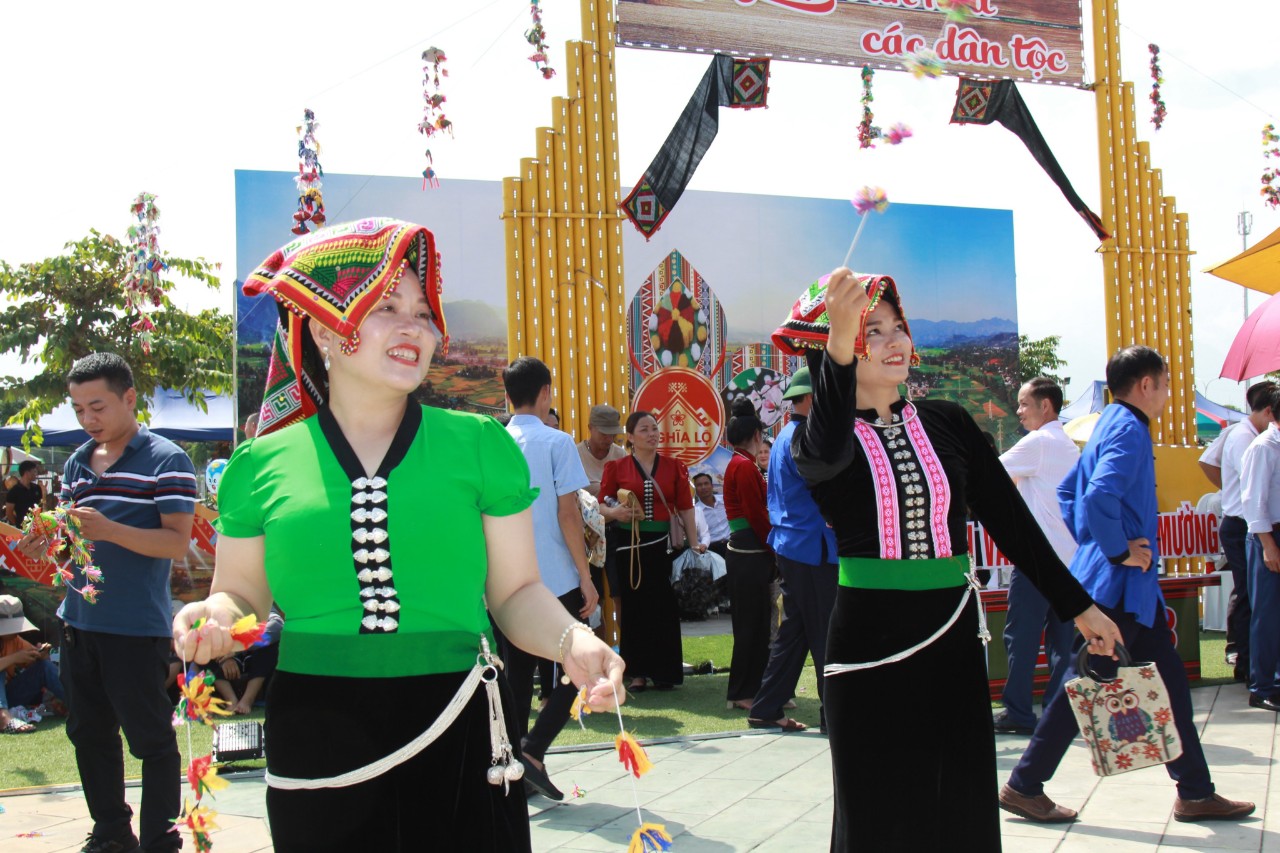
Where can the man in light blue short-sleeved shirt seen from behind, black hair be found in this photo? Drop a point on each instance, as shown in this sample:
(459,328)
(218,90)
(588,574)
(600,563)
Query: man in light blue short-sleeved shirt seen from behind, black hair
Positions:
(557,473)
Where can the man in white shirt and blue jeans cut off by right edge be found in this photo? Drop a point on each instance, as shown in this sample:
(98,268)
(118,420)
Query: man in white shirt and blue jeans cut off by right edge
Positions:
(1260,501)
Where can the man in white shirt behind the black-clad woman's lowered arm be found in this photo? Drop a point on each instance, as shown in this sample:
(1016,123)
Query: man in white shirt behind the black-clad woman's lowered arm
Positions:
(1037,463)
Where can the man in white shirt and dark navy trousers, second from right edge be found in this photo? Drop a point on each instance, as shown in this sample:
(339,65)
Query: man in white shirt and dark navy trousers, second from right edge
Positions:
(1232,528)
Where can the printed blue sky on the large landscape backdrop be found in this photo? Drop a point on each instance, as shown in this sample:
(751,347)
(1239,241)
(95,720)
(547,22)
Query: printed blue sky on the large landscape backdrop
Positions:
(756,252)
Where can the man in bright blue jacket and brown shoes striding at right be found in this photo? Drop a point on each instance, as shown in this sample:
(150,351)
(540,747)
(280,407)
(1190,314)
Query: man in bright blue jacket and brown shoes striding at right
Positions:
(1109,504)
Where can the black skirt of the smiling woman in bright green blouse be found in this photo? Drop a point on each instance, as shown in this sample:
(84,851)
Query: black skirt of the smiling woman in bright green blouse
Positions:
(438,800)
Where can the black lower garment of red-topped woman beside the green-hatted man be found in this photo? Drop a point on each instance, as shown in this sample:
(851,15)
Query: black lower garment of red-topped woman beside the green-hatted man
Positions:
(749,577)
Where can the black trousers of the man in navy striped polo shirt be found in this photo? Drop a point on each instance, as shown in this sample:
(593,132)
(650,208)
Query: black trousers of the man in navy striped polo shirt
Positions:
(113,683)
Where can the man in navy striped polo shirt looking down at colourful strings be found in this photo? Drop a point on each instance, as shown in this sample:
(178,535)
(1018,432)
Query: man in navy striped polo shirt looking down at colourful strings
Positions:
(135,496)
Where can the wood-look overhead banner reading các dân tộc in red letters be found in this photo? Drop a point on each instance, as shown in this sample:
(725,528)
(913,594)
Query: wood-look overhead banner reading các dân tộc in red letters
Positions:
(1027,40)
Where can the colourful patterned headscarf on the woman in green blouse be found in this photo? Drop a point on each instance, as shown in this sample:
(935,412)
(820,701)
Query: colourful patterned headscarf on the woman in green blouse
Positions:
(335,277)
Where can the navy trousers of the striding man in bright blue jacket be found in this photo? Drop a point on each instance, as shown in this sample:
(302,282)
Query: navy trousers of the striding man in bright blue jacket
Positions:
(1058,727)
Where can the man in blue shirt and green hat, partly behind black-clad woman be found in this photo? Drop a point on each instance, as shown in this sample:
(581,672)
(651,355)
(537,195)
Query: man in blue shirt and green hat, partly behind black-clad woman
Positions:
(806,550)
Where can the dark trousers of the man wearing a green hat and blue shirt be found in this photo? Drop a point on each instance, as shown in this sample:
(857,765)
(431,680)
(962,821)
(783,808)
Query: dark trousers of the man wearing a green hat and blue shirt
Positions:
(808,596)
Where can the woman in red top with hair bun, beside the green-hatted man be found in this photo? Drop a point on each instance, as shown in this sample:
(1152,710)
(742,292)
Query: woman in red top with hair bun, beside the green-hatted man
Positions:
(751,560)
